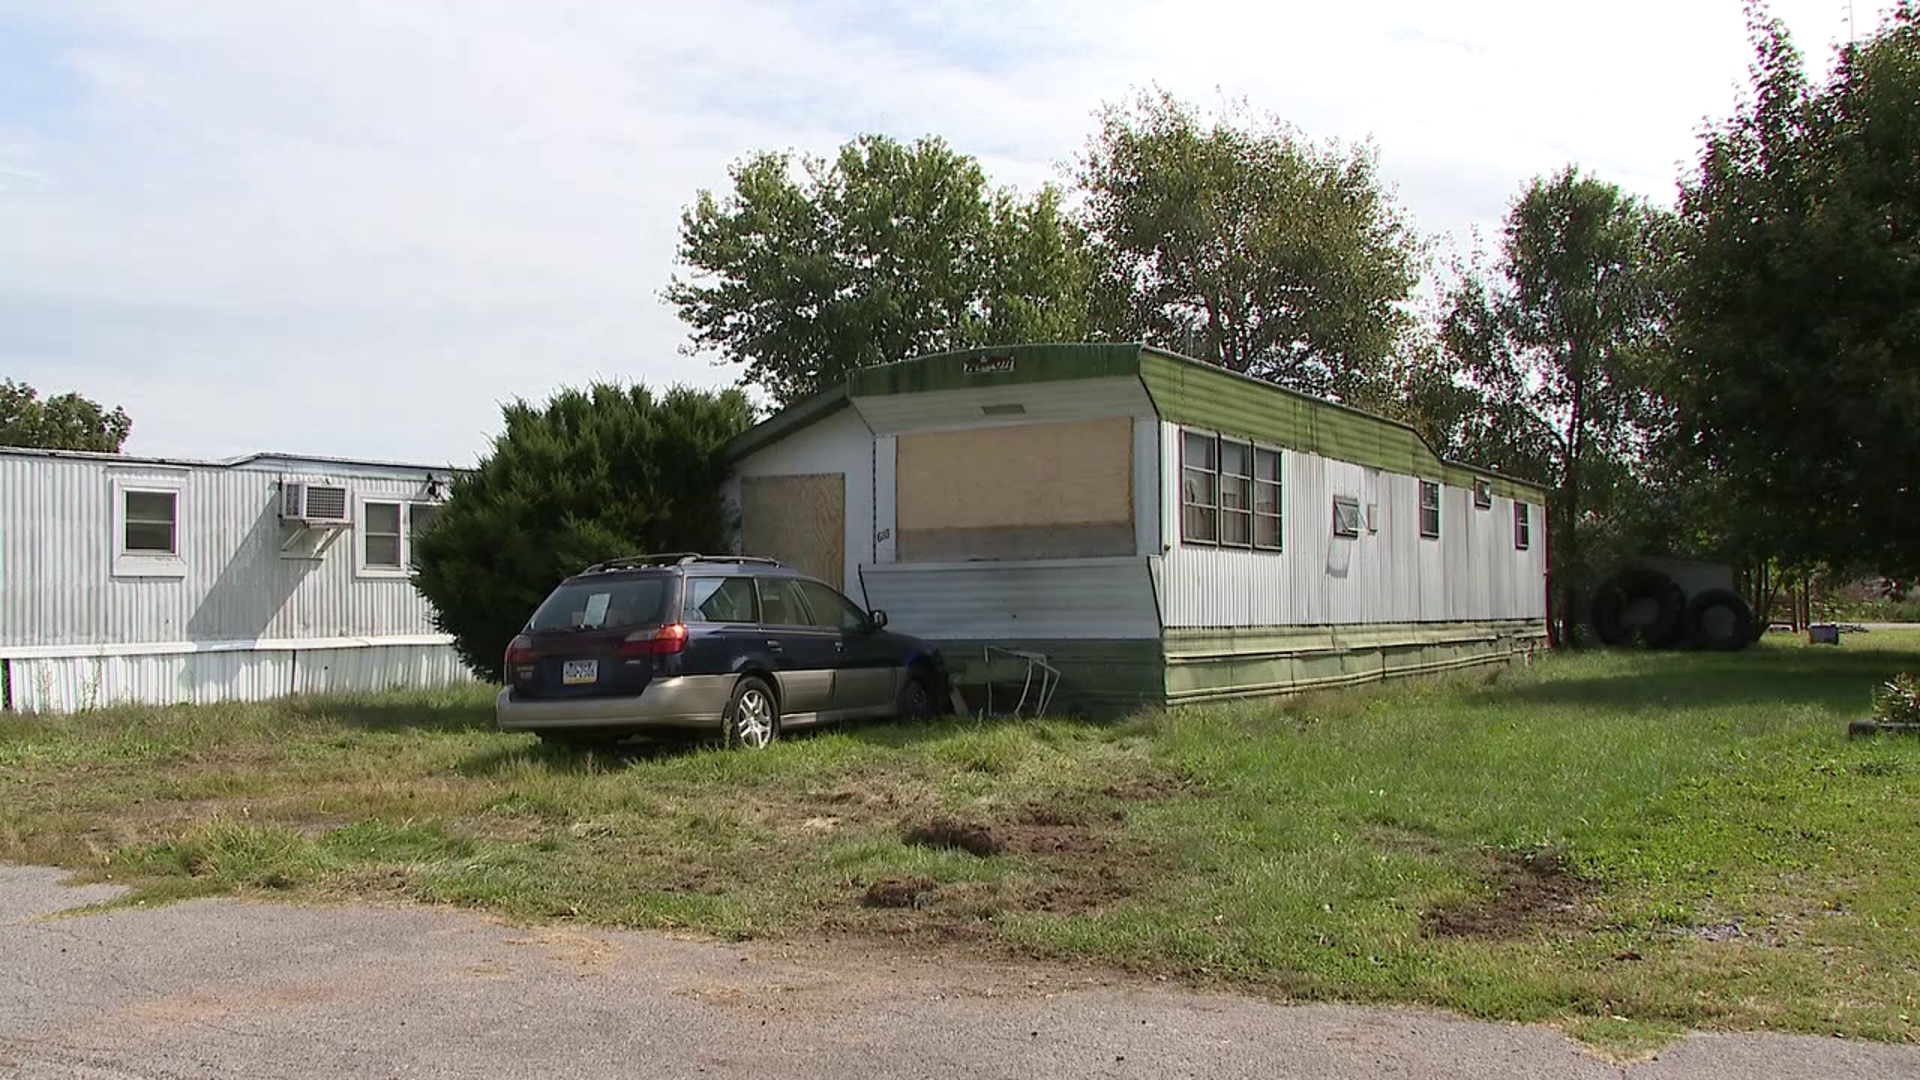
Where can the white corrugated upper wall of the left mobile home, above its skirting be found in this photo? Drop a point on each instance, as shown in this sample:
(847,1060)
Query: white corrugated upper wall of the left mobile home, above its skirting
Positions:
(57,549)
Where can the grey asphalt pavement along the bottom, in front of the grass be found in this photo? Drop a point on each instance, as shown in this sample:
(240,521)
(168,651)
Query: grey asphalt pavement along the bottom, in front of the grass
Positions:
(224,989)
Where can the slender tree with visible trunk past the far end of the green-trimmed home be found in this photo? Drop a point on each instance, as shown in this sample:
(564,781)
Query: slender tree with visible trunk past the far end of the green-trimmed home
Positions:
(1558,341)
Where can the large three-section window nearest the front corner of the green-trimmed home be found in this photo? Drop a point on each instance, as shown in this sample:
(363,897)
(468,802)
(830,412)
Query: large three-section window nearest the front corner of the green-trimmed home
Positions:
(1230,493)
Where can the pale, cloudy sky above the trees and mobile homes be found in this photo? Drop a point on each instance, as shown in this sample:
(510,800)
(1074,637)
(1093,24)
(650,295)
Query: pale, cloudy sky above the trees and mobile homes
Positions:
(356,228)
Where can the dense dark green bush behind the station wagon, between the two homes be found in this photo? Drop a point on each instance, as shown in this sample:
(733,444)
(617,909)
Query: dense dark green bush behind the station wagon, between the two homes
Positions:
(590,476)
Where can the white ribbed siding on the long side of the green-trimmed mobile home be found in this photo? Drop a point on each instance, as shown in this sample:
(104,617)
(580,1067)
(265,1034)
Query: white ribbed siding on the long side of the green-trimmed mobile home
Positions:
(1389,576)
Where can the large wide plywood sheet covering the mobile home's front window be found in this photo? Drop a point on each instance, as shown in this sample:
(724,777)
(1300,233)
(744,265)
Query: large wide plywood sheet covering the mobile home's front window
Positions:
(1017,493)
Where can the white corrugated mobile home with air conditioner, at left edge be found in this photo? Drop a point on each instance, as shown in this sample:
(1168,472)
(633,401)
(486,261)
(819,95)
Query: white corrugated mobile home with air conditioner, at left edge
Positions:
(162,581)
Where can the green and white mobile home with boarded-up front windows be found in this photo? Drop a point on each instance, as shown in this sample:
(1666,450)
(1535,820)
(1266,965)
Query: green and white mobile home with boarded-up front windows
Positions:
(1163,531)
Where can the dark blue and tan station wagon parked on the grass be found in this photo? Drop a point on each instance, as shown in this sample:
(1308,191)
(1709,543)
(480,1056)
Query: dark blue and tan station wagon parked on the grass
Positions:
(727,645)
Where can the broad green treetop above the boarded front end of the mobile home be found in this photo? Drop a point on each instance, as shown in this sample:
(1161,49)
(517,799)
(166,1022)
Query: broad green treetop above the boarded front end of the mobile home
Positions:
(880,255)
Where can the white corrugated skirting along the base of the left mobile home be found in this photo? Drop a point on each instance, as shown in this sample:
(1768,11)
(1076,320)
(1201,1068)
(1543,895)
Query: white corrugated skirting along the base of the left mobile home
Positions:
(201,679)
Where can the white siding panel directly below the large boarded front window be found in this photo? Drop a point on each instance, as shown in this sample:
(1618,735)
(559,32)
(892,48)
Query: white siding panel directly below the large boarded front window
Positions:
(1019,601)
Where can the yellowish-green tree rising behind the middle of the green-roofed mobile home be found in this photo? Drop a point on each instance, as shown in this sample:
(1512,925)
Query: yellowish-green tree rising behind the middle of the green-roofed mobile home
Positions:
(1245,245)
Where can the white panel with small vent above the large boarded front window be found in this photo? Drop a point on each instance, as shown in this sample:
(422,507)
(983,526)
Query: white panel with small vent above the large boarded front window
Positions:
(1040,403)
